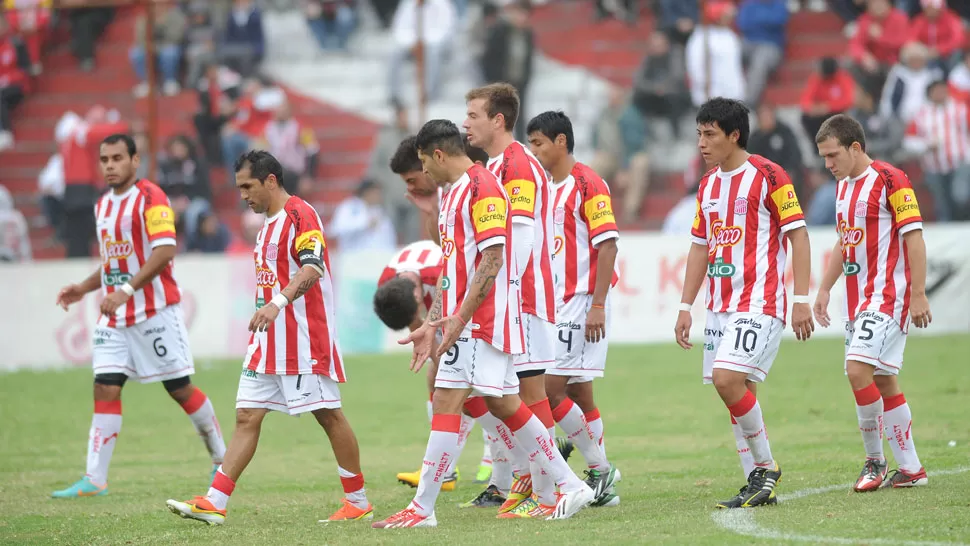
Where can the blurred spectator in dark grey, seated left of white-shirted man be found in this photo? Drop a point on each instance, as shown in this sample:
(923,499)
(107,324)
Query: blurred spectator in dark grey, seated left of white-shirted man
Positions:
(660,84)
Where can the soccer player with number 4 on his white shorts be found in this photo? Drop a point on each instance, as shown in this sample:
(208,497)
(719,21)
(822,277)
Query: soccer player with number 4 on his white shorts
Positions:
(584,263)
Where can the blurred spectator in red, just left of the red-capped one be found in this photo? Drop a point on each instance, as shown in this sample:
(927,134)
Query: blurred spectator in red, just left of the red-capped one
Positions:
(881,32)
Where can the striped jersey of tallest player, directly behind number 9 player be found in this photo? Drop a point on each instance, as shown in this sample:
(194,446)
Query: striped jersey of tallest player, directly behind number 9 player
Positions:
(526,184)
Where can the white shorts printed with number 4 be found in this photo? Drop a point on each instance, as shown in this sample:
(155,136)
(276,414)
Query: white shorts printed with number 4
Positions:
(575,356)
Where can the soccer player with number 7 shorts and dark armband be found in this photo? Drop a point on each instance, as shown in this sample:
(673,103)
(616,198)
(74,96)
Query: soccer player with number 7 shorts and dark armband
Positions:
(293,363)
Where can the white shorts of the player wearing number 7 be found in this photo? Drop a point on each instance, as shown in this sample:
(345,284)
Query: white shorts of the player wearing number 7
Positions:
(293,394)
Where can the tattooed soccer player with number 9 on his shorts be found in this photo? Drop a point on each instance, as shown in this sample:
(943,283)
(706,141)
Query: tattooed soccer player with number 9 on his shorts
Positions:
(477,309)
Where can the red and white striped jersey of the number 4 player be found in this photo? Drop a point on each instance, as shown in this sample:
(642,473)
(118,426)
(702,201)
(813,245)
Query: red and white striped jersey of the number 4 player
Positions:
(583,219)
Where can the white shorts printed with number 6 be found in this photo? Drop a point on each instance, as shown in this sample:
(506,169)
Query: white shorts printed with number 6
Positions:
(156,349)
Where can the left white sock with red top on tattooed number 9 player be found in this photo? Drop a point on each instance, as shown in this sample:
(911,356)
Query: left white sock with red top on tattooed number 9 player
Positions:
(442,448)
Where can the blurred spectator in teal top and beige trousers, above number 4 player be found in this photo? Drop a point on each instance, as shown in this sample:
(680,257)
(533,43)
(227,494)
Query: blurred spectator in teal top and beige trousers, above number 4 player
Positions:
(620,144)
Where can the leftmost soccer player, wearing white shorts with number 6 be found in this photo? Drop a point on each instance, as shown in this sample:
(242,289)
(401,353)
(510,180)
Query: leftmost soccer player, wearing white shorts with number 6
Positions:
(141,333)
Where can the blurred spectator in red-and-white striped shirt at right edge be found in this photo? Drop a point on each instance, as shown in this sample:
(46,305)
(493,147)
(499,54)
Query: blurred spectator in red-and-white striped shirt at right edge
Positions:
(939,134)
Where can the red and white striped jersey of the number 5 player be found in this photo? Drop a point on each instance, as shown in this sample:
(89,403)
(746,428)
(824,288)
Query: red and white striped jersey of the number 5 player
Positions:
(873,211)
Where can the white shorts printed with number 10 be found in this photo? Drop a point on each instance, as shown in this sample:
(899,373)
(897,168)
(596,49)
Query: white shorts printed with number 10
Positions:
(742,342)
